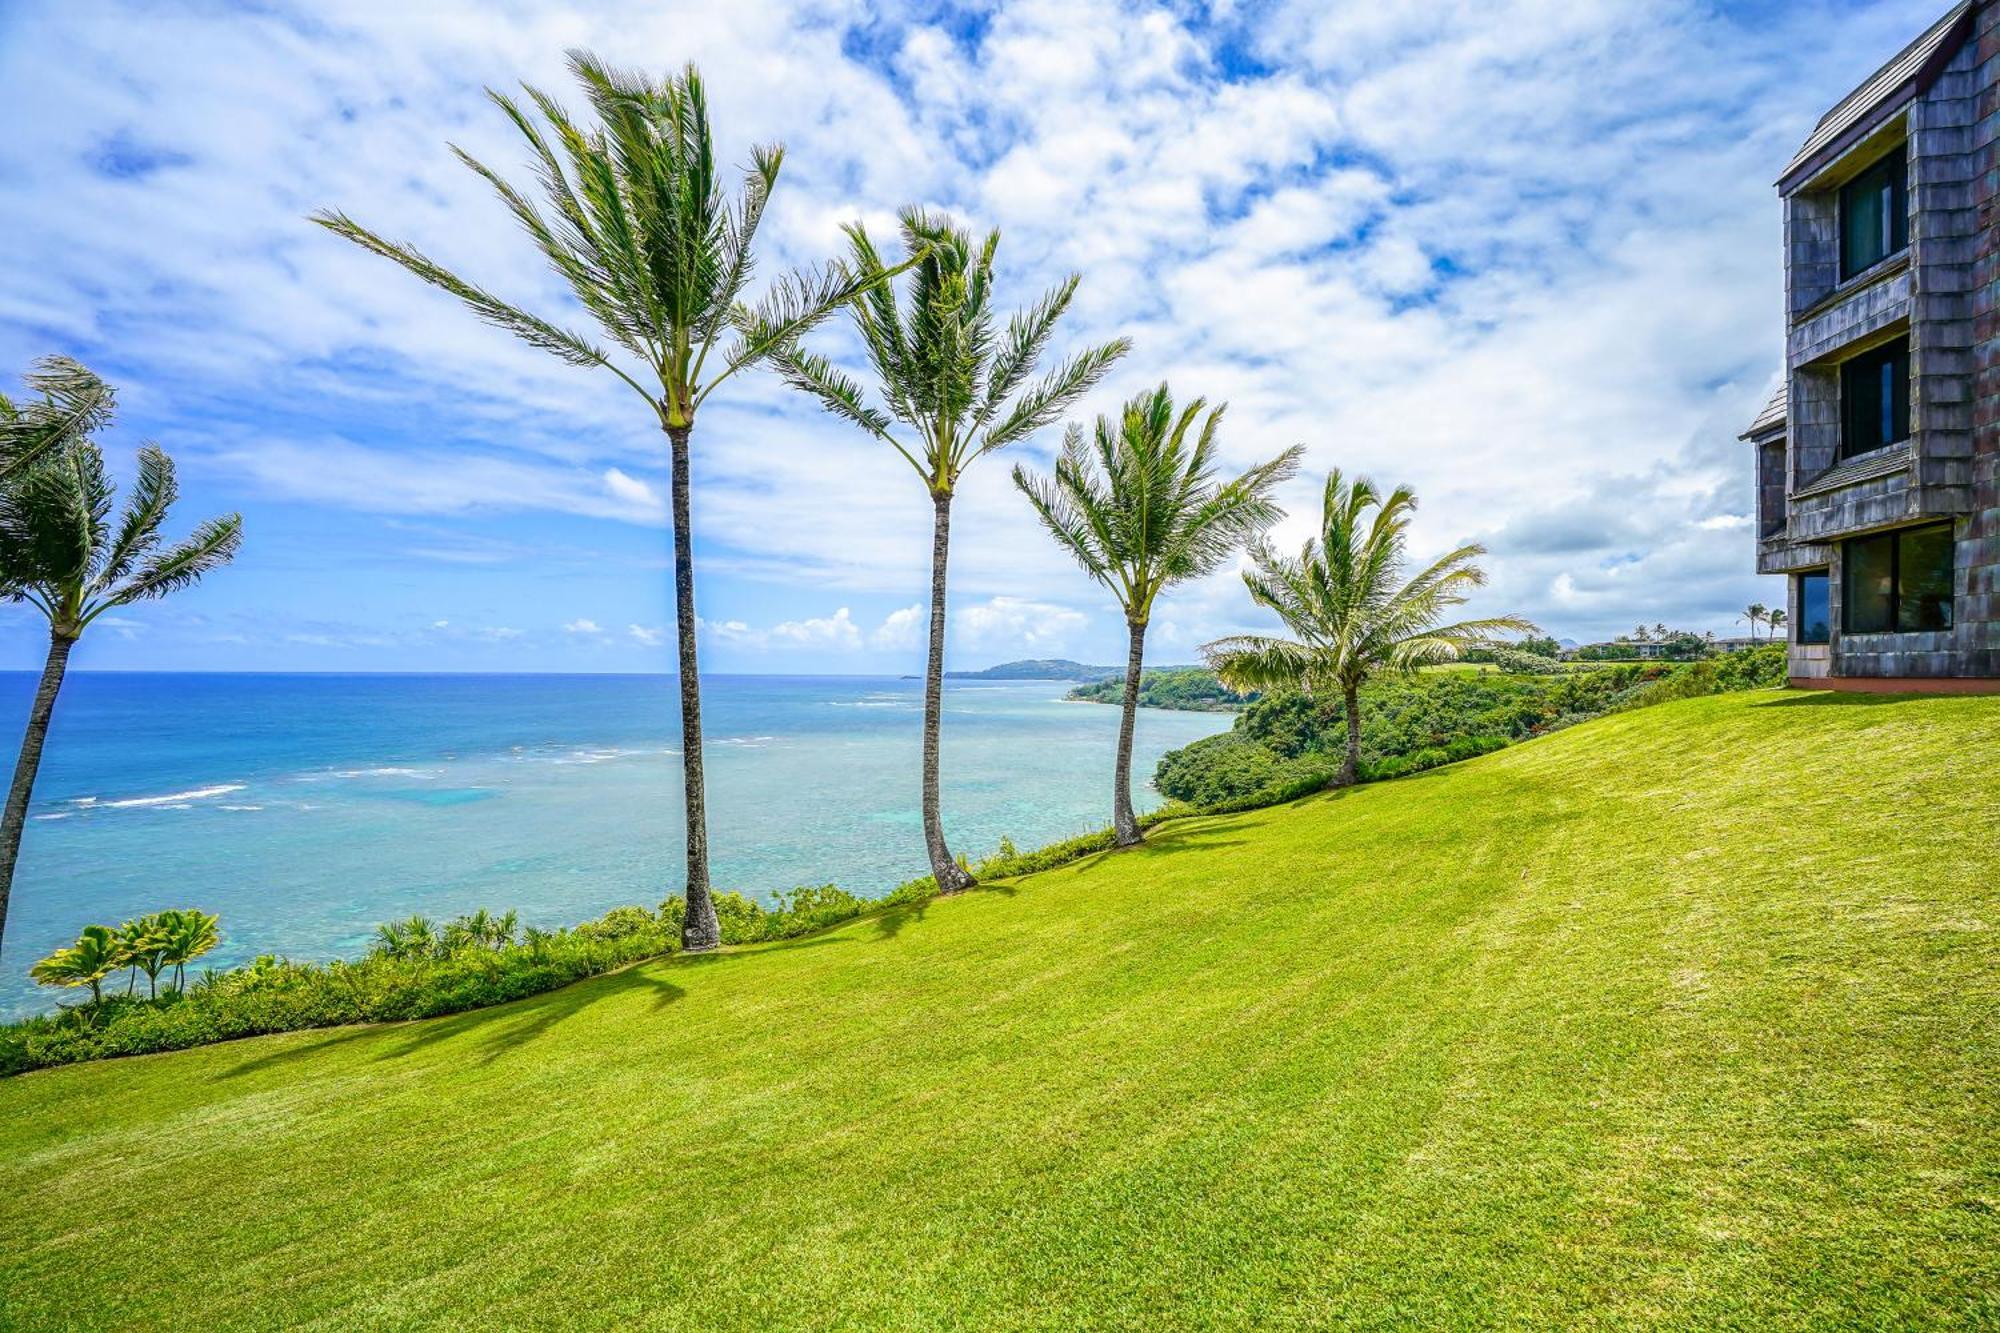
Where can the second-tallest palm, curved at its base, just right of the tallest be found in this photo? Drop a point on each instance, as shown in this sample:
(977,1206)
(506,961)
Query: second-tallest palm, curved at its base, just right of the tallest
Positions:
(959,389)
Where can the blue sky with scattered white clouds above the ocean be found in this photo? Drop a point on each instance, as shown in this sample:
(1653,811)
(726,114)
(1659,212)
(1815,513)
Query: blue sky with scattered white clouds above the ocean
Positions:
(1523,257)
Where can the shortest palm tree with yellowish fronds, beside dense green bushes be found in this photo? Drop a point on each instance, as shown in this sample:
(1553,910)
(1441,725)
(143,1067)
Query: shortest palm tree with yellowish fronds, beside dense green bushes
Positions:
(1353,611)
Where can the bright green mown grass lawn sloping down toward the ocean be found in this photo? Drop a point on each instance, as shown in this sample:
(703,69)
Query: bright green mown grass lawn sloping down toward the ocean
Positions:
(1687,1016)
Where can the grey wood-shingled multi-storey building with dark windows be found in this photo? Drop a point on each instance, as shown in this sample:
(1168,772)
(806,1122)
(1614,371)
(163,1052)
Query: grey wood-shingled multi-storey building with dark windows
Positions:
(1879,457)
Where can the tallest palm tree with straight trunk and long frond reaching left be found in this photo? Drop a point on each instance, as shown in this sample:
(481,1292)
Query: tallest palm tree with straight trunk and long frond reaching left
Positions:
(639,227)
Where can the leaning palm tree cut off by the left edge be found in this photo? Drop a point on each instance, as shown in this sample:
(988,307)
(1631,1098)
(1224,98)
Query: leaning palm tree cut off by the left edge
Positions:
(61,555)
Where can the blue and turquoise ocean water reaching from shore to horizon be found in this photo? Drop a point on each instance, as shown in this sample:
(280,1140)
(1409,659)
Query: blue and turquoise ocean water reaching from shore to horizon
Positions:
(307,810)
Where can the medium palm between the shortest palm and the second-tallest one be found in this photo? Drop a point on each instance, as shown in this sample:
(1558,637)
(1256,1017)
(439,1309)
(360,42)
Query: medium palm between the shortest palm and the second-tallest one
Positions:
(1141,511)
